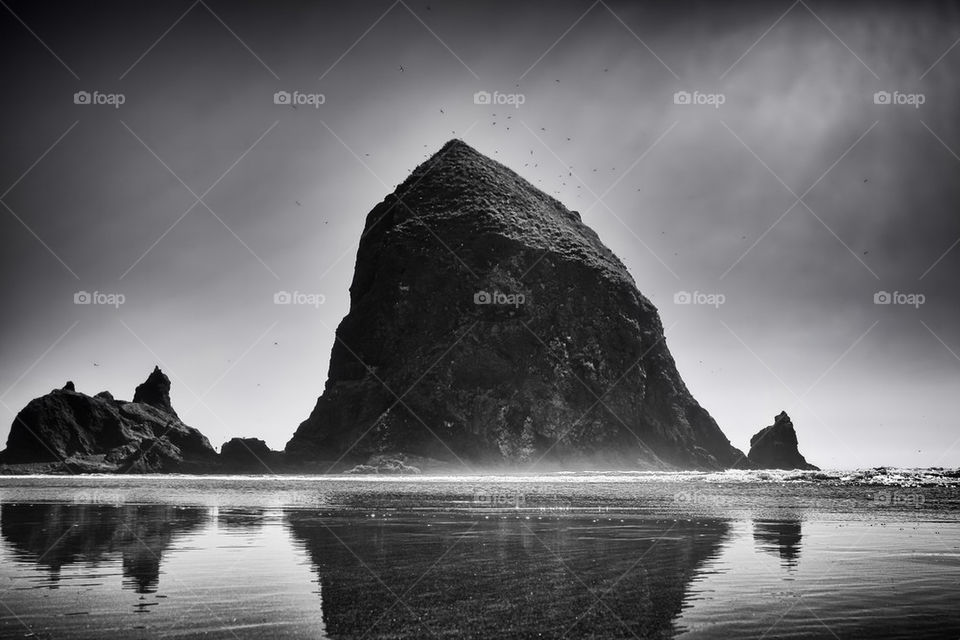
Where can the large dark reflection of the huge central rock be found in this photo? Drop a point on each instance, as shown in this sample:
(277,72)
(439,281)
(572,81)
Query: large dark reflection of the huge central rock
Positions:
(503,576)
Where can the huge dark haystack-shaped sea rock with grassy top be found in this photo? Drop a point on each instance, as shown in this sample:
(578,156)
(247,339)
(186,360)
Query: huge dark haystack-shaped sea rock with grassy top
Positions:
(489,325)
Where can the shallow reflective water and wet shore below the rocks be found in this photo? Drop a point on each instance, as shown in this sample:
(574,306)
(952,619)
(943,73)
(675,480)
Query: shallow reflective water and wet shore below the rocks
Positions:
(567,555)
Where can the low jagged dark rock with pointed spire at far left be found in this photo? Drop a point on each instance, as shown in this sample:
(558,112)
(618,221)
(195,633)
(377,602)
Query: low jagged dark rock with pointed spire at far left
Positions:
(77,430)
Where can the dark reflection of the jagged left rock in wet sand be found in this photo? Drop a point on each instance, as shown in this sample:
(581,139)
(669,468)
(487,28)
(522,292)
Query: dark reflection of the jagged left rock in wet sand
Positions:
(57,535)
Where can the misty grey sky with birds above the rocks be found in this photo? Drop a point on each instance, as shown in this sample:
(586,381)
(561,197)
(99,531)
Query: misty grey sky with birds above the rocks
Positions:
(797,199)
